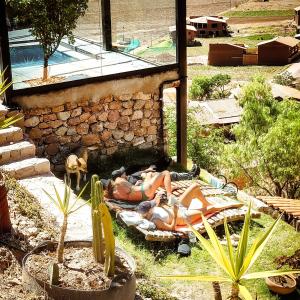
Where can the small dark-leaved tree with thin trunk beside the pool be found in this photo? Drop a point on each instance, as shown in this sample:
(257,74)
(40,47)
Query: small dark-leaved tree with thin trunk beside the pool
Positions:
(50,21)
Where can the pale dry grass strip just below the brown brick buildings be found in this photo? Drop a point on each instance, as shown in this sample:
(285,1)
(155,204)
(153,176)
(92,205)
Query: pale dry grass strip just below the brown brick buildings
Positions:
(240,73)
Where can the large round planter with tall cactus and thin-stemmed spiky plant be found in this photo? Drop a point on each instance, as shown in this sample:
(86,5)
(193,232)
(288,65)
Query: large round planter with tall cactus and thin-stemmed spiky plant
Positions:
(81,269)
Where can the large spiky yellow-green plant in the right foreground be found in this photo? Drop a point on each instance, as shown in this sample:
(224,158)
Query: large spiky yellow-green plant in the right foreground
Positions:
(235,264)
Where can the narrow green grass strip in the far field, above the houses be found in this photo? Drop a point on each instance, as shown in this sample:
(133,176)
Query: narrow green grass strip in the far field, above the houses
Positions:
(260,13)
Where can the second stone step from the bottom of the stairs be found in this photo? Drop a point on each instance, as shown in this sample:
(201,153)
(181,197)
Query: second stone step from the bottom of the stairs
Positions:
(16,151)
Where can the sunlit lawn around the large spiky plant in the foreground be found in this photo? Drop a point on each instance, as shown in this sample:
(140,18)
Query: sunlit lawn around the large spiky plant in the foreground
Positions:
(159,259)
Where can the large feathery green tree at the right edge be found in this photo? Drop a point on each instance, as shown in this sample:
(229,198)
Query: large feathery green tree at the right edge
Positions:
(267,141)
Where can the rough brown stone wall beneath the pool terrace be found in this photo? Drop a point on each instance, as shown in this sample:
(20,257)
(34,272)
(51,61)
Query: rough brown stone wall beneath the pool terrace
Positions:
(107,124)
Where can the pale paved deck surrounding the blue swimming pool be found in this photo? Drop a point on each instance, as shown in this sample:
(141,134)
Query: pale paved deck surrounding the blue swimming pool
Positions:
(93,61)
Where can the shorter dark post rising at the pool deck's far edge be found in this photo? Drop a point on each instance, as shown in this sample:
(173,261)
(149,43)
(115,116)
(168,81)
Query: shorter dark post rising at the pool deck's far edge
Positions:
(106,25)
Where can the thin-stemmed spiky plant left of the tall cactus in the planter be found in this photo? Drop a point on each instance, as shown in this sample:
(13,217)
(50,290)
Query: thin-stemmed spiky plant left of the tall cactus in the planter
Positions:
(66,208)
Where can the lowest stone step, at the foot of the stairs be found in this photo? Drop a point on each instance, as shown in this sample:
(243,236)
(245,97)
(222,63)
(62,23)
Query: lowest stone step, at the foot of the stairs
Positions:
(27,168)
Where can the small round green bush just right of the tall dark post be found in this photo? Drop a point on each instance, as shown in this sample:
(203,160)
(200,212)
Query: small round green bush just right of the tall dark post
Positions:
(206,87)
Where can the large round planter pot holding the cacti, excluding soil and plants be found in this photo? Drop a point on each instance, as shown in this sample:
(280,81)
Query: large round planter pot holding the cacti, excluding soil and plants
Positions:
(124,291)
